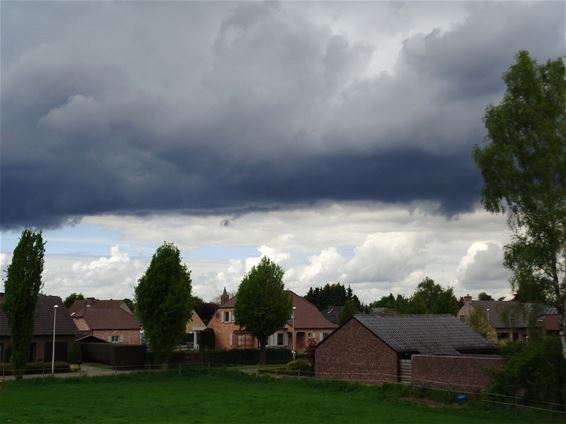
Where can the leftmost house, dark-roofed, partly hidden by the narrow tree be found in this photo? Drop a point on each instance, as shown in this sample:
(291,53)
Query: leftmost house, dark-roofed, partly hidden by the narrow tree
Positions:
(42,345)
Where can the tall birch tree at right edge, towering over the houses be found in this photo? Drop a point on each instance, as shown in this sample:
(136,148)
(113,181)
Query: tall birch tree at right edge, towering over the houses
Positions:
(524,170)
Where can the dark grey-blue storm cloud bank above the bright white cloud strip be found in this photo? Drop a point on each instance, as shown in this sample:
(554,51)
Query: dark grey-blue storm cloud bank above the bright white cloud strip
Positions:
(212,109)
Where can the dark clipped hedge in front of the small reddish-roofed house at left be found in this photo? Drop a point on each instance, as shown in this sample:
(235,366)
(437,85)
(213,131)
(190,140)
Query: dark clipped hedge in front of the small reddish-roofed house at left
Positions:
(120,355)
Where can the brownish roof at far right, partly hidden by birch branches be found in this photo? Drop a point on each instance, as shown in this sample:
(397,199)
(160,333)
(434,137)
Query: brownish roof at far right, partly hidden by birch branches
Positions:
(510,314)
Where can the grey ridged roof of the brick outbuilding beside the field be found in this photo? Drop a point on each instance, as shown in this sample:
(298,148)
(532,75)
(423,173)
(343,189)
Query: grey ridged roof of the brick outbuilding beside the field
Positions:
(425,334)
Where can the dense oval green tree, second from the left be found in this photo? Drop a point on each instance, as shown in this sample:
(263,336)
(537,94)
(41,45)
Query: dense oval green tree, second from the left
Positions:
(163,301)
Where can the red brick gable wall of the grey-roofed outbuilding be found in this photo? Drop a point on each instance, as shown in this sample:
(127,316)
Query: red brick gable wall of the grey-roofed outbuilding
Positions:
(354,353)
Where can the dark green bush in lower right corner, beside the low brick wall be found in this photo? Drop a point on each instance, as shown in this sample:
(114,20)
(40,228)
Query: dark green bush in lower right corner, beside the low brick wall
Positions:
(534,370)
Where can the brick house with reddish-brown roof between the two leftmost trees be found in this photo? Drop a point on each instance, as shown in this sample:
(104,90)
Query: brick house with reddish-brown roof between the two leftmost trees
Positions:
(109,320)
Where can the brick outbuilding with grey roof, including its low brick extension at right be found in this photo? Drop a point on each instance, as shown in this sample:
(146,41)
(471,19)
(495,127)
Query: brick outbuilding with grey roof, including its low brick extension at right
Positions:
(437,350)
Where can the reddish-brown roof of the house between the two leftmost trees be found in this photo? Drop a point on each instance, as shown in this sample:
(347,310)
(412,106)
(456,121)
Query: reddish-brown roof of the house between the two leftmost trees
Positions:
(105,314)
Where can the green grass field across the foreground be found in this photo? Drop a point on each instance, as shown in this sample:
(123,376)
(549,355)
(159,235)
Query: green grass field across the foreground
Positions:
(221,397)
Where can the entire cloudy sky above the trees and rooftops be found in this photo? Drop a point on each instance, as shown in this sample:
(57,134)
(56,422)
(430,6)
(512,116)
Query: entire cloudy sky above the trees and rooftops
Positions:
(334,137)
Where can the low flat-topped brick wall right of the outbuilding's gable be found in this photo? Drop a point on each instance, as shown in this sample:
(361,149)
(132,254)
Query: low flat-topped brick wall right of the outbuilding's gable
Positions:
(466,373)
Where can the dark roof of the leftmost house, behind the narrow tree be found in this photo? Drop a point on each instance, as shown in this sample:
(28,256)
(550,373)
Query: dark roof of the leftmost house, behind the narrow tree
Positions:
(43,324)
